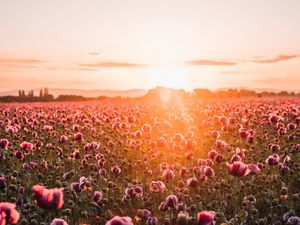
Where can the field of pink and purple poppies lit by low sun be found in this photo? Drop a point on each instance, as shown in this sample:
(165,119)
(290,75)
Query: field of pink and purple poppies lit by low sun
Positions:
(122,163)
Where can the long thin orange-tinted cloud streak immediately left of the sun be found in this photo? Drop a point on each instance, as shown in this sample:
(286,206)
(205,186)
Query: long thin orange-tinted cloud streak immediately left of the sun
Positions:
(111,64)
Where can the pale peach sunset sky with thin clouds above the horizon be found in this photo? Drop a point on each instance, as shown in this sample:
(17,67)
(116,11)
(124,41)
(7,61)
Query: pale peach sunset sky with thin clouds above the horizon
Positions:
(125,44)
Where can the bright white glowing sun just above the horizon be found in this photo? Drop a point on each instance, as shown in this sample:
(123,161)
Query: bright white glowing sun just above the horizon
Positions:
(168,76)
